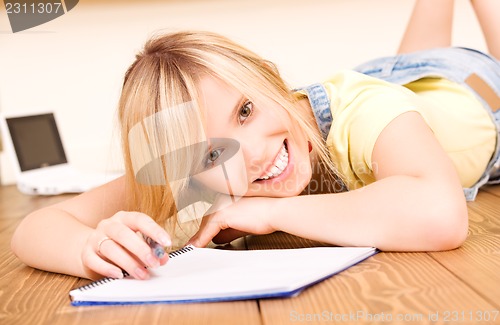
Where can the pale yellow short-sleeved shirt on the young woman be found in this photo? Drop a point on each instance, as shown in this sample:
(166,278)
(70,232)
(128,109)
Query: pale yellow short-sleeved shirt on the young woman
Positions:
(363,106)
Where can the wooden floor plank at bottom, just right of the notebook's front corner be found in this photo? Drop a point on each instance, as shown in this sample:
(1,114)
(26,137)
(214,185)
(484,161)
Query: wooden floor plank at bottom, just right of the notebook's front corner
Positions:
(388,287)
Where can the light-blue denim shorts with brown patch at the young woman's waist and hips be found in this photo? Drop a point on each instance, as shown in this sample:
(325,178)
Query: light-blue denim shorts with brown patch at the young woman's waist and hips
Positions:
(477,71)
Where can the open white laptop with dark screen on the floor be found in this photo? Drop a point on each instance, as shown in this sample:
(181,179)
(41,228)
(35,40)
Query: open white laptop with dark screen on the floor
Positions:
(33,144)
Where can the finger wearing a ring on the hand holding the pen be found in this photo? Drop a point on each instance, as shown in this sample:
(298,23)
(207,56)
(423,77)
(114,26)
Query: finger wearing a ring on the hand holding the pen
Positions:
(115,253)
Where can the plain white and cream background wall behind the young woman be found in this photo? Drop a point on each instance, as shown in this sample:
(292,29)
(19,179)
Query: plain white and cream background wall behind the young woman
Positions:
(74,65)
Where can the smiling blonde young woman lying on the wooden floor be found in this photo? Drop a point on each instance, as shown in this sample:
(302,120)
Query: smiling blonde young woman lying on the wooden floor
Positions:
(204,119)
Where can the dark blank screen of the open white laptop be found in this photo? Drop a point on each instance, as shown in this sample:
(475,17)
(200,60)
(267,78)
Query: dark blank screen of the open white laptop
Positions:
(36,141)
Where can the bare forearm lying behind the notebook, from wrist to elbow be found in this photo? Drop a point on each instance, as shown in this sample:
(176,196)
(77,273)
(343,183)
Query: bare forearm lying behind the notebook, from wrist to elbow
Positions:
(395,213)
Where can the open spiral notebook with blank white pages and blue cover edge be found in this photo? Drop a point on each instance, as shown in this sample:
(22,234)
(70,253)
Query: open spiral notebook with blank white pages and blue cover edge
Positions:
(208,274)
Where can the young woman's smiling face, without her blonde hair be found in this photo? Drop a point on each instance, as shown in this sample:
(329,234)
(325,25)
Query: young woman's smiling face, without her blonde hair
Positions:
(275,150)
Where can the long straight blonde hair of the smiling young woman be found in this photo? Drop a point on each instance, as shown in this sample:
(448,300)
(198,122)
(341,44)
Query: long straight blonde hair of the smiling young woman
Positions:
(164,75)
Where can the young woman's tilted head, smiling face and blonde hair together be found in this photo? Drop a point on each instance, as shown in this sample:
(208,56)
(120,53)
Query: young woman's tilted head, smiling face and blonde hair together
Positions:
(264,152)
